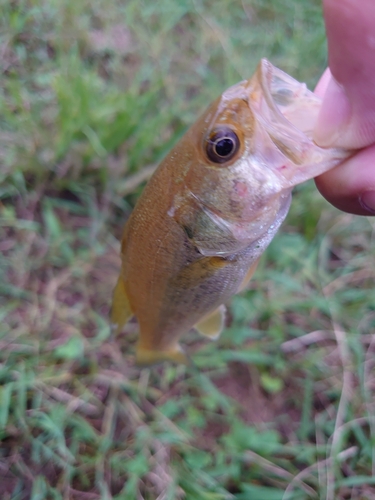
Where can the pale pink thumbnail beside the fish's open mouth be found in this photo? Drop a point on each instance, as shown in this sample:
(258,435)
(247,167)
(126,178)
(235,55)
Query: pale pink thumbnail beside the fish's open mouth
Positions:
(333,116)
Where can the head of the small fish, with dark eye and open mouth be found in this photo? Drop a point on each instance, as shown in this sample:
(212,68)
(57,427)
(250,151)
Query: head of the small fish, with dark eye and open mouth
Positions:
(253,144)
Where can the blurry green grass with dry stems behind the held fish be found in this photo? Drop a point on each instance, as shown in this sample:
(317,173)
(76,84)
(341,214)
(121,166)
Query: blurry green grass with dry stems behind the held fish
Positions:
(93,94)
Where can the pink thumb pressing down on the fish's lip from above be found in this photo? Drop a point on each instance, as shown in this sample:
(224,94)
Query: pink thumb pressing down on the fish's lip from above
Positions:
(347,116)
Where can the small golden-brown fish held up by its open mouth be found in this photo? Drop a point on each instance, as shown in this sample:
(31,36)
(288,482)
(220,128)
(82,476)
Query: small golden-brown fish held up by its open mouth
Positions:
(212,207)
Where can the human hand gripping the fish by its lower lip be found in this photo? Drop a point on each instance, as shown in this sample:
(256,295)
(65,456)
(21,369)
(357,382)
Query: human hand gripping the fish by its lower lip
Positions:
(347,117)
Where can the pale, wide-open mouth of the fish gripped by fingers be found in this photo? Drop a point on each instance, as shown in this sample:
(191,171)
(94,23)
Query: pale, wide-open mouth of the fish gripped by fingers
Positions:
(287,111)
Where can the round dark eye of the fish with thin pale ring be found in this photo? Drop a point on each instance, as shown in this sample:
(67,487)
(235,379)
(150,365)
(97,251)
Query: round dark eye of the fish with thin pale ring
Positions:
(222,144)
